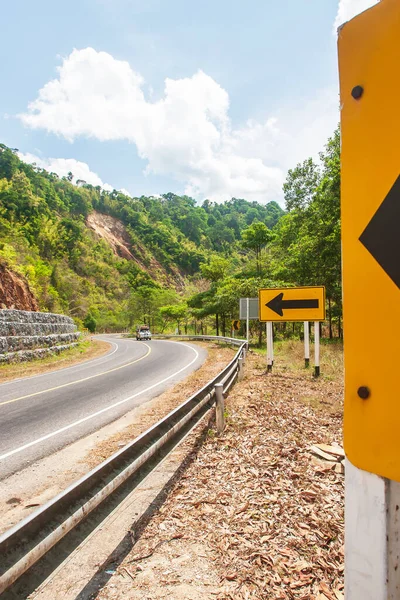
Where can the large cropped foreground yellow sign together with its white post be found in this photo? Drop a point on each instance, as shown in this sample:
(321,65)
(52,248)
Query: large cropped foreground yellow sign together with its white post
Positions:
(369,58)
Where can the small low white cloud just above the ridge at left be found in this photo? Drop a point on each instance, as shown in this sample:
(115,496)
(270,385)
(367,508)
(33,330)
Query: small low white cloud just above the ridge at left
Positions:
(63,166)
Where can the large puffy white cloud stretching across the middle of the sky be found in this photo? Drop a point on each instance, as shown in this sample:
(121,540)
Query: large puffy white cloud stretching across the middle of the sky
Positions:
(187,134)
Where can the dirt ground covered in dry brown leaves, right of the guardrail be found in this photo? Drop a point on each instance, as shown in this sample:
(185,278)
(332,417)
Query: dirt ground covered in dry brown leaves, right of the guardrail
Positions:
(256,514)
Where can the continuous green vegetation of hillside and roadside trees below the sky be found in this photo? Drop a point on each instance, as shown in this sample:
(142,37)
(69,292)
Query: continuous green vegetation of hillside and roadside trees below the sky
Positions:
(190,263)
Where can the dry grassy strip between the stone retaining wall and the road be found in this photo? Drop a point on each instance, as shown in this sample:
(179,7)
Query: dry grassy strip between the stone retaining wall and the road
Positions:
(86,350)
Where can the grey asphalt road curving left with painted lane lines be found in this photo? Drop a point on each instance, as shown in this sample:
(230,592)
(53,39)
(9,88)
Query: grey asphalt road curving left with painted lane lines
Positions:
(43,413)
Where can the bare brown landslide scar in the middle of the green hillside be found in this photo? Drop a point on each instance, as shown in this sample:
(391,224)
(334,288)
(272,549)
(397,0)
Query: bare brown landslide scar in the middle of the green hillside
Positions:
(113,231)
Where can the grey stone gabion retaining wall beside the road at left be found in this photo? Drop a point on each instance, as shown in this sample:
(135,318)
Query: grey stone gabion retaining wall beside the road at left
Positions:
(25,335)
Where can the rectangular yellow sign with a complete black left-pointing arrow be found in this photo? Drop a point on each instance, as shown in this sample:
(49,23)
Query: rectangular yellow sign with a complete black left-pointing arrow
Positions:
(292,304)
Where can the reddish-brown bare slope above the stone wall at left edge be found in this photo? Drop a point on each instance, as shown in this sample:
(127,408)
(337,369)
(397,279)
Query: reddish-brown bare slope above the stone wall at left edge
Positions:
(15,292)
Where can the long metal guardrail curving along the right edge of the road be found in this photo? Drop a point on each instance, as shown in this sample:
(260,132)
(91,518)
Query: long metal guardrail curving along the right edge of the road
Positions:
(26,543)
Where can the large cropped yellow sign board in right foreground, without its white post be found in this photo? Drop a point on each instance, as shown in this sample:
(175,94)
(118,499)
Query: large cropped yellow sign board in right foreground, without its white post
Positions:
(369,58)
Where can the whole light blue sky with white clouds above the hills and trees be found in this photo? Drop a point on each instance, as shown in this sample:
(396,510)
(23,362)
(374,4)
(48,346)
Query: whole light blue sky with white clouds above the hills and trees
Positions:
(215,98)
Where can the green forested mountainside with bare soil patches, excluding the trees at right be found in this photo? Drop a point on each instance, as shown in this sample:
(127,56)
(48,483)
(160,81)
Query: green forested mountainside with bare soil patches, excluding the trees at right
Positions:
(85,251)
